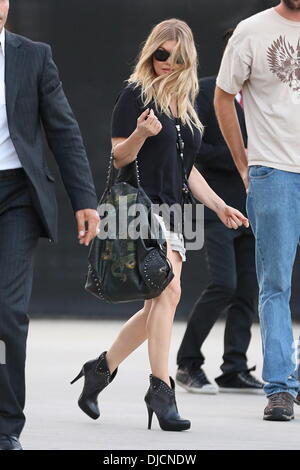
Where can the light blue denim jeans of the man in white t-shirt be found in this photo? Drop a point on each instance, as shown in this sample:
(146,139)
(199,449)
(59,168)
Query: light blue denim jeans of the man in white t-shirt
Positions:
(273,208)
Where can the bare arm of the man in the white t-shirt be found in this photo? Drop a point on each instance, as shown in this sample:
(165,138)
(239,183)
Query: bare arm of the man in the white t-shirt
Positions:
(230,127)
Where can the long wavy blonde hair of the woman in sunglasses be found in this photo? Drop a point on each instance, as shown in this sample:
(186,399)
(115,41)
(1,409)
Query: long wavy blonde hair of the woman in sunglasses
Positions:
(181,83)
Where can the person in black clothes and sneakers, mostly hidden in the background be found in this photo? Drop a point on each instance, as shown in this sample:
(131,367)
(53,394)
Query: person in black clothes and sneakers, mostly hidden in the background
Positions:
(231,265)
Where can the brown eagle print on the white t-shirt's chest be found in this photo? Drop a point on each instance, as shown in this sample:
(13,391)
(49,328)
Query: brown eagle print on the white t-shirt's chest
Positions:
(284,62)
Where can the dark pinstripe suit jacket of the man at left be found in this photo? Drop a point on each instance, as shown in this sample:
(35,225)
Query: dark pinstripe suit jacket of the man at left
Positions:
(34,100)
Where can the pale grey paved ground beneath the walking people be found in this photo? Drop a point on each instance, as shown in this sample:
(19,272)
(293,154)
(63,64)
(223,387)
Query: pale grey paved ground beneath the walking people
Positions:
(55,354)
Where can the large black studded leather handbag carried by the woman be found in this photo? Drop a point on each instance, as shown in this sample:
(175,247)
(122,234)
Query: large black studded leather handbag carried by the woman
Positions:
(123,267)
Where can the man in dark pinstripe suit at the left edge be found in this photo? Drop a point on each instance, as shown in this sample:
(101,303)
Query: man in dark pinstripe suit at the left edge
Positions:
(31,97)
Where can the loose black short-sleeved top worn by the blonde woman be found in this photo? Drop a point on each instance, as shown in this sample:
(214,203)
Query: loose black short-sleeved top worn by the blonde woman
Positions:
(160,168)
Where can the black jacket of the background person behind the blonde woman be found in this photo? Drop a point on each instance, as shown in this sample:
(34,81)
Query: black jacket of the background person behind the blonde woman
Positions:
(214,159)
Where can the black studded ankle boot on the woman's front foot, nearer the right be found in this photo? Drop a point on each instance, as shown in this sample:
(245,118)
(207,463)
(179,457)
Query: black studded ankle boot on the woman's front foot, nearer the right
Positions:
(161,400)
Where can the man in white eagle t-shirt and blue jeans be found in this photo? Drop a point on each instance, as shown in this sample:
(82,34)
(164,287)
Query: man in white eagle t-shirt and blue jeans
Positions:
(263,59)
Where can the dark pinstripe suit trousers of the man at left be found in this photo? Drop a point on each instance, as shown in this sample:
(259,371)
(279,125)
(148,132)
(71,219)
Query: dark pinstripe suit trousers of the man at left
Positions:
(20,229)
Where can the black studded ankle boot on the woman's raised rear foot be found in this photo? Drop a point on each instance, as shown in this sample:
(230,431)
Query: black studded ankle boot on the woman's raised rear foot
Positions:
(96,378)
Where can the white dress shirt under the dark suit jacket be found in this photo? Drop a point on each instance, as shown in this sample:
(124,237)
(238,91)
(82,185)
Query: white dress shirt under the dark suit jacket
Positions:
(8,155)
